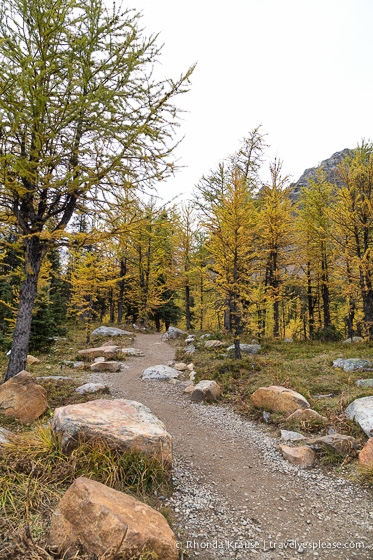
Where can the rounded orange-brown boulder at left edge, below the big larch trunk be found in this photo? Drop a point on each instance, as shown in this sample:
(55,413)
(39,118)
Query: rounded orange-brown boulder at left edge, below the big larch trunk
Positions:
(22,398)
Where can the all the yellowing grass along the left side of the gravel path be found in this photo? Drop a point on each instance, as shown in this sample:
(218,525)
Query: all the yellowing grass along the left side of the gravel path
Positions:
(34,473)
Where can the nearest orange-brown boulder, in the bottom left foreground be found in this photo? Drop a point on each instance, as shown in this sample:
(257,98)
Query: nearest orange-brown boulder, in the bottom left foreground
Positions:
(104,520)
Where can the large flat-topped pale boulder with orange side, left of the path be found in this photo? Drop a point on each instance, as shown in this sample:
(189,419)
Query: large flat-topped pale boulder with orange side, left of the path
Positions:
(124,424)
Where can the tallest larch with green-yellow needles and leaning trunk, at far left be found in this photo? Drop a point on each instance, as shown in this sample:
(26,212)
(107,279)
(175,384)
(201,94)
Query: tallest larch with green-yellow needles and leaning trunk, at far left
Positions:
(78,105)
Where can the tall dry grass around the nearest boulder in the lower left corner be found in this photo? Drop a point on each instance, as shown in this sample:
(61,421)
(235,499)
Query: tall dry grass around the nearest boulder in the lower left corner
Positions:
(35,473)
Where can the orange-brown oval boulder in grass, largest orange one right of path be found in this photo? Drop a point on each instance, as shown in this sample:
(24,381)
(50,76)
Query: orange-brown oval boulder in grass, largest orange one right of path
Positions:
(278,399)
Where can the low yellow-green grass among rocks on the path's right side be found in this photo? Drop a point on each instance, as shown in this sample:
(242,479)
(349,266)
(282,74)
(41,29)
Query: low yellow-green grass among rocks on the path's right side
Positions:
(305,367)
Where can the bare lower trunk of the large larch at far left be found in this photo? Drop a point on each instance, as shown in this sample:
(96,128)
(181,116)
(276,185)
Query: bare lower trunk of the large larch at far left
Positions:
(34,253)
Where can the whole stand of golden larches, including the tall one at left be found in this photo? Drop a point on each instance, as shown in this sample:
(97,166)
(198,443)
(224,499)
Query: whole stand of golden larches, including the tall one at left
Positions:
(87,134)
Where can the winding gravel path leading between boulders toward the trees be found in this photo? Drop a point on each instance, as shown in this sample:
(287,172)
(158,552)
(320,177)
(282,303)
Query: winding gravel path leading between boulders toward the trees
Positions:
(235,496)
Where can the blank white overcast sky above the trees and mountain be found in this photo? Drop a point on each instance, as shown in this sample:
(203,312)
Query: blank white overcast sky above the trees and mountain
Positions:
(301,68)
